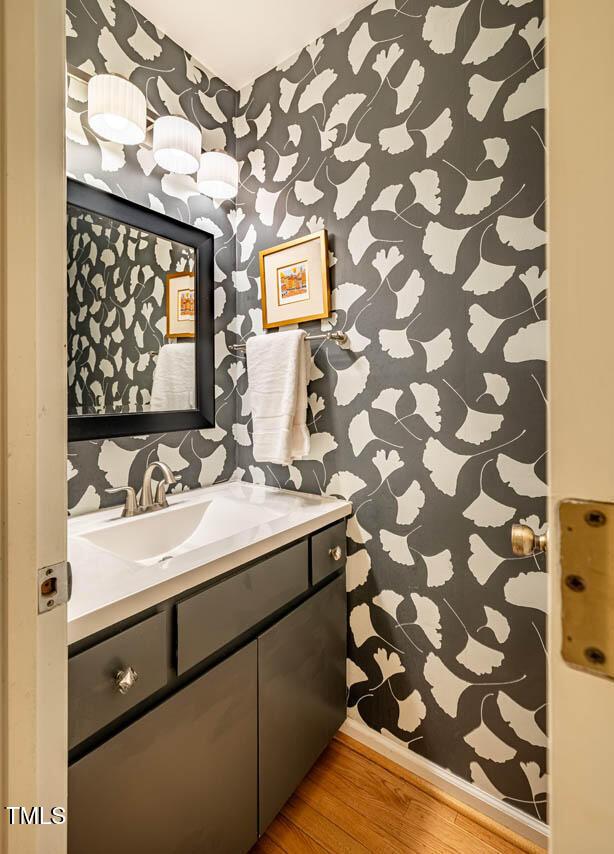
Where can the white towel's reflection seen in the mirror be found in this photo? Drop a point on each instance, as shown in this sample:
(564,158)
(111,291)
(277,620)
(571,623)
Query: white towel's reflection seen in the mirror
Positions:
(174,380)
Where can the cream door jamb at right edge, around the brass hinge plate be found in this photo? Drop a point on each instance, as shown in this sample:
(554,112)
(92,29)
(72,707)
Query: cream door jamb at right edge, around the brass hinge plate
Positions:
(580,431)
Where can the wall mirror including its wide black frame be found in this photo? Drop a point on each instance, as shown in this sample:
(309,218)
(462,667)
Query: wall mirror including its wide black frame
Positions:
(140,319)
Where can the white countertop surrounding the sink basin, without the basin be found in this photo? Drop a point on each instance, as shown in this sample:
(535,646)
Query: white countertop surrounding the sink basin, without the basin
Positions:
(107,588)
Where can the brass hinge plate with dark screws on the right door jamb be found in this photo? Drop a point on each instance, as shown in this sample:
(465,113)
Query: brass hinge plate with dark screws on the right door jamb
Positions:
(587,584)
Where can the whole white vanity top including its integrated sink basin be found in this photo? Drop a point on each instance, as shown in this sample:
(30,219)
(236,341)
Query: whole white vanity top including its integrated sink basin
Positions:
(124,566)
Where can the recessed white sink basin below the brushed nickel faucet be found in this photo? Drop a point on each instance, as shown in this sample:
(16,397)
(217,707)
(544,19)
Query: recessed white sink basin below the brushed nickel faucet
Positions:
(163,534)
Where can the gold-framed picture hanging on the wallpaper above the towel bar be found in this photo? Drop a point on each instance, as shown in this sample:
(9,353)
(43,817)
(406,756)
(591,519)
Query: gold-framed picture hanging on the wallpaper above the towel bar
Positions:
(294,281)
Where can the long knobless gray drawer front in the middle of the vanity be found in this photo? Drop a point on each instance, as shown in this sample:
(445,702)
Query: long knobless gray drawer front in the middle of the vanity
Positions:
(218,615)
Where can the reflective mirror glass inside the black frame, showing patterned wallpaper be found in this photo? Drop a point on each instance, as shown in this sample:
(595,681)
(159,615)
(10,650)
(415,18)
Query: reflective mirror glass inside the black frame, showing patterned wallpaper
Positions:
(131,318)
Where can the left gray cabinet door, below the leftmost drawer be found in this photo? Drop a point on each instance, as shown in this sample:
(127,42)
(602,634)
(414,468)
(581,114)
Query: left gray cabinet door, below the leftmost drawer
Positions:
(180,780)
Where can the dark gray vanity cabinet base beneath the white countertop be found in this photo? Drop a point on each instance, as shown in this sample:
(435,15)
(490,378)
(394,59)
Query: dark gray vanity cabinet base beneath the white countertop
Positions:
(200,764)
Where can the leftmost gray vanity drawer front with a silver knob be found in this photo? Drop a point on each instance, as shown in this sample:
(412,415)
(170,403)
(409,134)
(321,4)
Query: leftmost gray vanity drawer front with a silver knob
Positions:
(94,699)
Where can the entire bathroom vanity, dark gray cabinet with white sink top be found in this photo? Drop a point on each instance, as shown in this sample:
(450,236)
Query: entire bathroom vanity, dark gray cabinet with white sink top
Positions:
(204,688)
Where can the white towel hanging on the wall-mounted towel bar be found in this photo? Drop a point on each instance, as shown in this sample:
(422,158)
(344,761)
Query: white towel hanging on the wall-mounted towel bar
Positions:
(278,368)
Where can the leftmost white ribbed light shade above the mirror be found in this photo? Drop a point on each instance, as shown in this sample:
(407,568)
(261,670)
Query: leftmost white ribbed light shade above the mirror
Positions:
(116,109)
